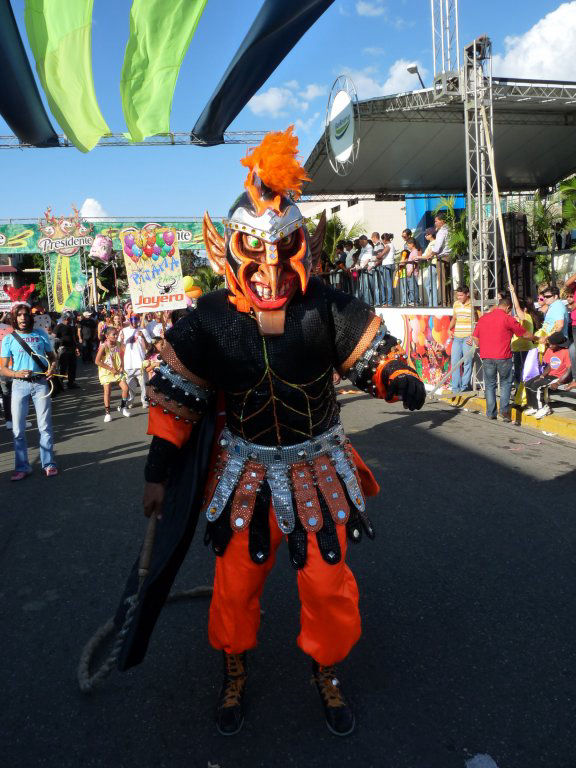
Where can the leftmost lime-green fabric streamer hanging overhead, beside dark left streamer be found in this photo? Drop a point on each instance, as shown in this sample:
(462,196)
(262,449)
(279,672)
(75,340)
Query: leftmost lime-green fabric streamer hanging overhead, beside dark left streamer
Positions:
(60,35)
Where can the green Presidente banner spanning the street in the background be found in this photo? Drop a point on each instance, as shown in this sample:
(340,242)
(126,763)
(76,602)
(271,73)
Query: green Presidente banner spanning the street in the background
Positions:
(32,237)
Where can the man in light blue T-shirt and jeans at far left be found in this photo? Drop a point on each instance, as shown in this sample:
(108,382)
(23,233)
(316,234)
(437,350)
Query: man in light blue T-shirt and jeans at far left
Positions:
(29,382)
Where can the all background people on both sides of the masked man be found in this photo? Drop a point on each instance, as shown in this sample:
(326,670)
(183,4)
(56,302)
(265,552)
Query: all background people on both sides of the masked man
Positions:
(521,342)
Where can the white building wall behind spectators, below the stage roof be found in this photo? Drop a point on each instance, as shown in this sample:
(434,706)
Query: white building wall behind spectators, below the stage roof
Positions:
(371,215)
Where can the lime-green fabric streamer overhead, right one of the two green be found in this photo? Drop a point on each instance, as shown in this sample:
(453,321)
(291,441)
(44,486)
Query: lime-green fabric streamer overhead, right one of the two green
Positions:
(160,34)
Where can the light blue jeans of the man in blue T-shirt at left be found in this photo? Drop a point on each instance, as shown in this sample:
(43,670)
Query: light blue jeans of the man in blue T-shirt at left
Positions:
(22,393)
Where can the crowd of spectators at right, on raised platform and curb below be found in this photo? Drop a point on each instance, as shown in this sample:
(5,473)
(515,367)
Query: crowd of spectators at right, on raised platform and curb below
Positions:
(512,334)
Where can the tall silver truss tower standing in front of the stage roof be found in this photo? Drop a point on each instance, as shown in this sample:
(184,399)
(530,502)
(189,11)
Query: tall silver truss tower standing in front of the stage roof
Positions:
(481,205)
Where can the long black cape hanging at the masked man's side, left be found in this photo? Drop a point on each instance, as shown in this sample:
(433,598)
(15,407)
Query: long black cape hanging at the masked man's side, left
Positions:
(174,535)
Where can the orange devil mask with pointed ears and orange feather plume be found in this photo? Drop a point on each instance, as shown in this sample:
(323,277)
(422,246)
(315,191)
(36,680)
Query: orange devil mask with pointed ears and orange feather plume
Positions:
(266,255)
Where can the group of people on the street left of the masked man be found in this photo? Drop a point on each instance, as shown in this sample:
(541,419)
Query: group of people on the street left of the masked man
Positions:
(39,354)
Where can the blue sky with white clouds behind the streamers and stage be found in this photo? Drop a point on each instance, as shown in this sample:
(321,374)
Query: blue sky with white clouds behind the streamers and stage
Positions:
(372,40)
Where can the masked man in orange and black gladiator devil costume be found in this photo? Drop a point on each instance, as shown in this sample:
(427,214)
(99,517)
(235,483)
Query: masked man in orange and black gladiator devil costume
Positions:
(281,466)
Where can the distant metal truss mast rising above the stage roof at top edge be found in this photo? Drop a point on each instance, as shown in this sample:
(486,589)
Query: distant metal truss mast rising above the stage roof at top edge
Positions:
(446,47)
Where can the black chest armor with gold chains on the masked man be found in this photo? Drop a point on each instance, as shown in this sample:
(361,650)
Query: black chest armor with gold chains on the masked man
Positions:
(278,389)
